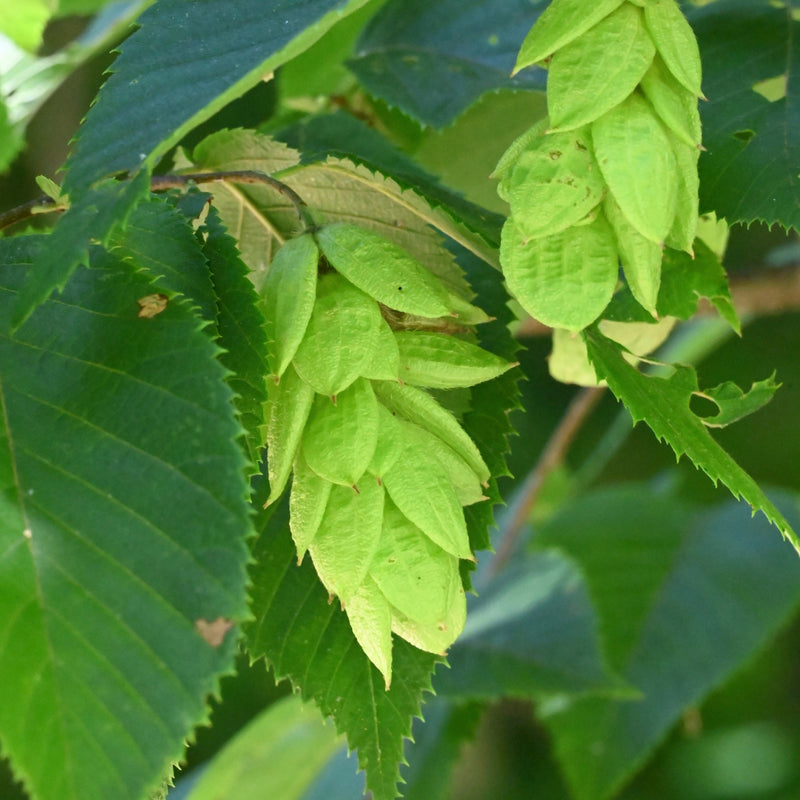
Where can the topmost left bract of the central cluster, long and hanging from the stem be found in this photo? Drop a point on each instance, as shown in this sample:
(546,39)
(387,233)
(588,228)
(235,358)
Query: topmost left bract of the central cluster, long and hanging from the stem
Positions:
(289,293)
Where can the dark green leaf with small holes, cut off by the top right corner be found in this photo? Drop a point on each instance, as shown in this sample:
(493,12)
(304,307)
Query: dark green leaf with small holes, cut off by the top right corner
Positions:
(750,169)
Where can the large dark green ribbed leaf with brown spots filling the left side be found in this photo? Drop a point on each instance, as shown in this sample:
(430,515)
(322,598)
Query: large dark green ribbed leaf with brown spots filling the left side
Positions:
(111,650)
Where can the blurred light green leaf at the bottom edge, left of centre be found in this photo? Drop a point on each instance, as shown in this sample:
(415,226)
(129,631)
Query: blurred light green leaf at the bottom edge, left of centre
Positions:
(289,733)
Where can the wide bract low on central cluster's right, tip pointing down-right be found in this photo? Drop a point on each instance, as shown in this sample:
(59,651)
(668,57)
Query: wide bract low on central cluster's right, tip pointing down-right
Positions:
(421,488)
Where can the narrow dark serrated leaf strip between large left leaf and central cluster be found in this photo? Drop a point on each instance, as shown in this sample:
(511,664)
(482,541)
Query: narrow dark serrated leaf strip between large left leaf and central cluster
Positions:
(240,326)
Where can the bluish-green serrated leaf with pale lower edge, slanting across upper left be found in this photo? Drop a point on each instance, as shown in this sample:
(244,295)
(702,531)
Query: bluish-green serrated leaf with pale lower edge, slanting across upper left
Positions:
(222,54)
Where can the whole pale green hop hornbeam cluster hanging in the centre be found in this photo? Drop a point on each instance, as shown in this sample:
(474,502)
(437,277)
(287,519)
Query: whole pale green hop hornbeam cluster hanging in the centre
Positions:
(380,470)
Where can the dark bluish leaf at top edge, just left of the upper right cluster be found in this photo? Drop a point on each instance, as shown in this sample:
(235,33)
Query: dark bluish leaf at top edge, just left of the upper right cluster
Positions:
(433,60)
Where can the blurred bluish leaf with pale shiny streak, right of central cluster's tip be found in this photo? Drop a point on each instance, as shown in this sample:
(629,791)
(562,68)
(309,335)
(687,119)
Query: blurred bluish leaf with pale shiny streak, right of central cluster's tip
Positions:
(532,633)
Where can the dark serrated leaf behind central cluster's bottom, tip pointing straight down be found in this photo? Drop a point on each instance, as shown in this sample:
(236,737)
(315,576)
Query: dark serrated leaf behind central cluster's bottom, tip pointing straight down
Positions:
(309,640)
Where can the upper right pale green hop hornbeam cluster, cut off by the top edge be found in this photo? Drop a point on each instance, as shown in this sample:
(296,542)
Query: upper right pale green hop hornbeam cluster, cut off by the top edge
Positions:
(610,176)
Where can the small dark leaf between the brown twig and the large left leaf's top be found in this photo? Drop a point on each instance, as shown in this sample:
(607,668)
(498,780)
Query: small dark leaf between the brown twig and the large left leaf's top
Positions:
(159,239)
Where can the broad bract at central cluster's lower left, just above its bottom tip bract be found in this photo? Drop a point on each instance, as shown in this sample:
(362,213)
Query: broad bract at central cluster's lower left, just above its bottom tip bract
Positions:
(347,538)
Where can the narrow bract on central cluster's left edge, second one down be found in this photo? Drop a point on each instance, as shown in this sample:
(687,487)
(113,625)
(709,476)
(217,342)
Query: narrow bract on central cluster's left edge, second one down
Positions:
(289,406)
